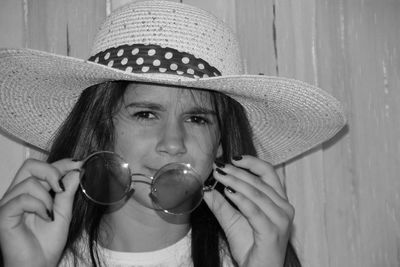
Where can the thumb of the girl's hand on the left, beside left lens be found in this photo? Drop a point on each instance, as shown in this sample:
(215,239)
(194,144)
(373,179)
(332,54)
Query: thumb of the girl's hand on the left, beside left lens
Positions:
(63,201)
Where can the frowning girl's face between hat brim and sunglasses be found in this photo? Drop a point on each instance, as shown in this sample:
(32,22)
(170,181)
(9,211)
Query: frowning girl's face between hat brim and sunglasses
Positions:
(157,125)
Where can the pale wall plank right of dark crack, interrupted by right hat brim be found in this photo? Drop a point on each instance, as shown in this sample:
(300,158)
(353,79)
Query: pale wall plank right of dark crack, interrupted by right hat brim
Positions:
(296,57)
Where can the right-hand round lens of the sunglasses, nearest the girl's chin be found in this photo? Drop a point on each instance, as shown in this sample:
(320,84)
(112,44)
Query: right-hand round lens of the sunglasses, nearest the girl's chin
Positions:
(177,189)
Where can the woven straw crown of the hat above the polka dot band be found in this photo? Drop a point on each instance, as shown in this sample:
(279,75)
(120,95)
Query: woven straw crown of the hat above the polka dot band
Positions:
(174,25)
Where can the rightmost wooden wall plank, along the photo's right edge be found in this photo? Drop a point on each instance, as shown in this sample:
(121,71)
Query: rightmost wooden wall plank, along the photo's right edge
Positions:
(372,38)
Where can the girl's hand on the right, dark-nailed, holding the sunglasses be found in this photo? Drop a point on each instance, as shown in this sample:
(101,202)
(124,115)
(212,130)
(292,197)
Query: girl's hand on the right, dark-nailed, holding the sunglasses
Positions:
(258,231)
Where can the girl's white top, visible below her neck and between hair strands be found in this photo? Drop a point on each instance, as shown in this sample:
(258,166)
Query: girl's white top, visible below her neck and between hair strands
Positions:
(176,255)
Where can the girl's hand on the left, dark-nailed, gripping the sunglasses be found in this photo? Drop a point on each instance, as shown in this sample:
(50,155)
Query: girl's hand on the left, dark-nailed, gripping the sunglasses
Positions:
(33,224)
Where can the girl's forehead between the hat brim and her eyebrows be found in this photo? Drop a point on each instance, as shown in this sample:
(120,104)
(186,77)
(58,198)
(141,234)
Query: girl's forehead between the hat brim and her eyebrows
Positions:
(167,95)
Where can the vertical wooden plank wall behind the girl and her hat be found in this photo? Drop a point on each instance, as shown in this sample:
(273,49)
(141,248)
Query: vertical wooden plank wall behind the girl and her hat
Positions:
(347,191)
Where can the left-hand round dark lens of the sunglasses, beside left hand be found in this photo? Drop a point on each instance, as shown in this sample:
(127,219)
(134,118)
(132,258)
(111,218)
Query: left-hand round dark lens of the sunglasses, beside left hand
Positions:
(105,178)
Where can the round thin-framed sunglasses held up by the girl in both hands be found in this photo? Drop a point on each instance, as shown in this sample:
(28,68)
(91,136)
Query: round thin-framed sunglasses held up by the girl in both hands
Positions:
(176,188)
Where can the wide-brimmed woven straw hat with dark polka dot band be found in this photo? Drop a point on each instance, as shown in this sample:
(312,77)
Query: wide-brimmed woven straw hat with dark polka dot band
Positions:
(168,43)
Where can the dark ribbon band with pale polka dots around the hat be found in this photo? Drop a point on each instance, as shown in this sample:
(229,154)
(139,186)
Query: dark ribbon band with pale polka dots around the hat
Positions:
(140,58)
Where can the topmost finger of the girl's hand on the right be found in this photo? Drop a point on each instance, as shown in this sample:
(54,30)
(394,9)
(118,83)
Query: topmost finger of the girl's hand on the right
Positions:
(262,169)
